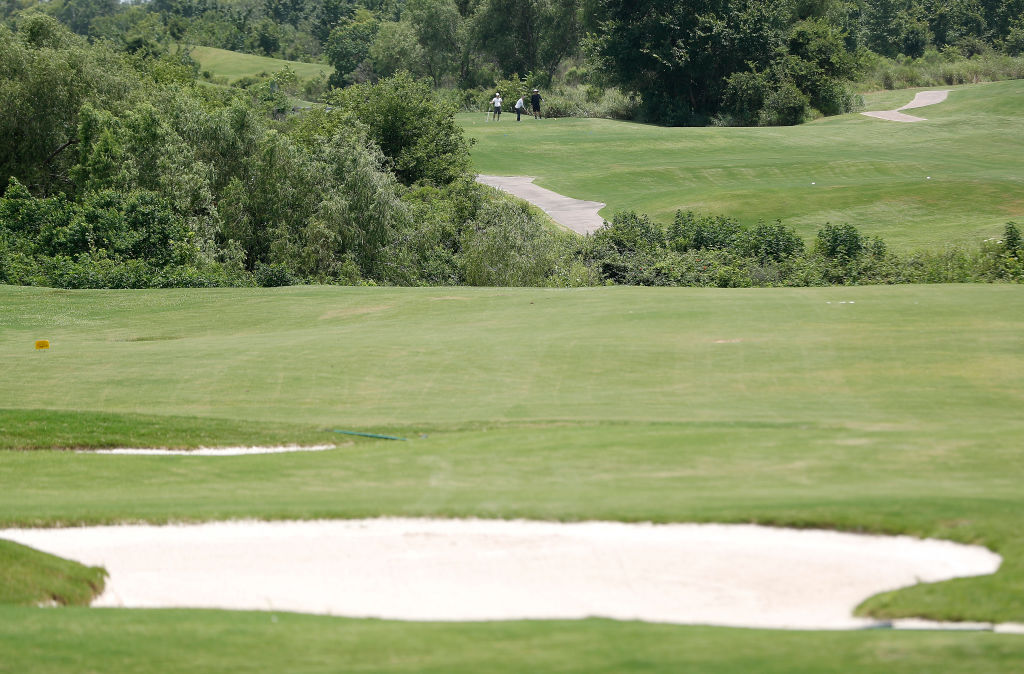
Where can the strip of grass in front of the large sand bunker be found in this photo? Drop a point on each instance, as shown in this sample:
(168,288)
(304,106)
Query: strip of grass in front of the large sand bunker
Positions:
(178,642)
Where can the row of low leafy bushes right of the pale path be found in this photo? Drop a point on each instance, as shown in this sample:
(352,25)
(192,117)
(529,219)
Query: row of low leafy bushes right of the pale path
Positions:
(714,251)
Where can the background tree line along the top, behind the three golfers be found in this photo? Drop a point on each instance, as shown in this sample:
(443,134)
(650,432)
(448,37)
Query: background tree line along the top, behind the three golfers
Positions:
(735,62)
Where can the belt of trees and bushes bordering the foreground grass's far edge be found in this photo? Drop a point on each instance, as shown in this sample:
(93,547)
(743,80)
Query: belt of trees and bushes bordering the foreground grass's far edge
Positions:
(122,171)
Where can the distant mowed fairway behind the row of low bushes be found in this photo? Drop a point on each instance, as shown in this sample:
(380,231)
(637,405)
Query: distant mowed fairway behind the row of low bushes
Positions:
(848,170)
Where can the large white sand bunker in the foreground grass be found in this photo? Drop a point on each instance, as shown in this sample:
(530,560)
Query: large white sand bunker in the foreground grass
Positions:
(476,570)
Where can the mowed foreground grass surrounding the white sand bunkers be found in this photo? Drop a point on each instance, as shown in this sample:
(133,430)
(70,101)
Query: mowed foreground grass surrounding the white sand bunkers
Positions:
(866,409)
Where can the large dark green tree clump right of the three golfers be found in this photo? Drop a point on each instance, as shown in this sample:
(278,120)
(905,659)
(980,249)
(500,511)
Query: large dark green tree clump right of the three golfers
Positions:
(746,60)
